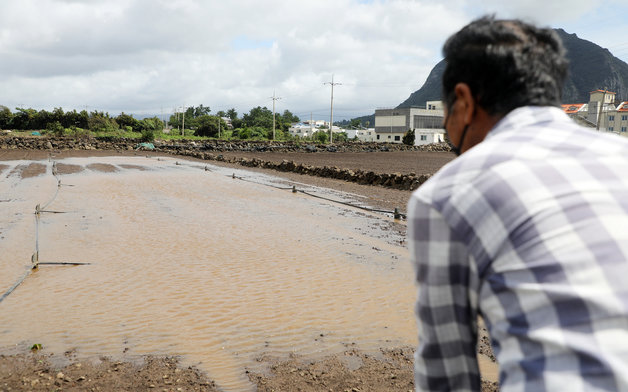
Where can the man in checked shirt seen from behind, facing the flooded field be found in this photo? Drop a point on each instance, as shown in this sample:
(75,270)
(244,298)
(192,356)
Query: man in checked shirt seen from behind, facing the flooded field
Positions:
(528,228)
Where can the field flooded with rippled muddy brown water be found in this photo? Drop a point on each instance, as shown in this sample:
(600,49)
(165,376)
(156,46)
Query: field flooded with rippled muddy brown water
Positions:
(187,260)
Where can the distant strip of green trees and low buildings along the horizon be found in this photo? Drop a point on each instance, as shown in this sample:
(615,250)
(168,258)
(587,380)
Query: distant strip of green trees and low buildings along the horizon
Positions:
(424,125)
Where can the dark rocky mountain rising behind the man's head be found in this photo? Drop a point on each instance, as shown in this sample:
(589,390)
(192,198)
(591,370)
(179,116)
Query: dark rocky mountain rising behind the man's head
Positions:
(591,67)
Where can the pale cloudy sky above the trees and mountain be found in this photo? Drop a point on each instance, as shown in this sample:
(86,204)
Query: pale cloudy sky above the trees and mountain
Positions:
(151,56)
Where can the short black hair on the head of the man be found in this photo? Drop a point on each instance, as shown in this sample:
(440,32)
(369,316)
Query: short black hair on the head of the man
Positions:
(506,63)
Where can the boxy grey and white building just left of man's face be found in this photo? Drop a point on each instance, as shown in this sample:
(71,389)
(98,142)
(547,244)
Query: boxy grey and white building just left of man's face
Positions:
(427,123)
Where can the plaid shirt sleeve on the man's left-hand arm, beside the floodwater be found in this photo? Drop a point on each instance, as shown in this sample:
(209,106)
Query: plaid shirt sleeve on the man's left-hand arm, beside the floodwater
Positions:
(446,356)
